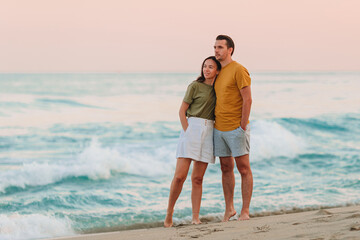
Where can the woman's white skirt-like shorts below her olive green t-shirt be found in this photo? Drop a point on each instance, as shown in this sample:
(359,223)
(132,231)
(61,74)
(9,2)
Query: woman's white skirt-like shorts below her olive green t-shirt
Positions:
(197,142)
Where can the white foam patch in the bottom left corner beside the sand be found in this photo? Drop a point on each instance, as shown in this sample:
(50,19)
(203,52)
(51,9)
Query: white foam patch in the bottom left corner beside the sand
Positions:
(33,226)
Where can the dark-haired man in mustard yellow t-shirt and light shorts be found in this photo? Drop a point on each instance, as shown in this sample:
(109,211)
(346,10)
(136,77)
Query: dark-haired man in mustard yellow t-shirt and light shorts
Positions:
(232,132)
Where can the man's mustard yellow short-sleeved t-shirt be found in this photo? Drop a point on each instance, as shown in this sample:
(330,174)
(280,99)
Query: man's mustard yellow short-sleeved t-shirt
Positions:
(229,102)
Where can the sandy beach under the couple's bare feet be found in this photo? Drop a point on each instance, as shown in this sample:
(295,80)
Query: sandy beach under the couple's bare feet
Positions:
(331,223)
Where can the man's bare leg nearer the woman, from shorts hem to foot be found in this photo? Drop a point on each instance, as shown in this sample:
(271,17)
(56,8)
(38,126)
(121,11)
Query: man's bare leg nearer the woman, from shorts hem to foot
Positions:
(228,182)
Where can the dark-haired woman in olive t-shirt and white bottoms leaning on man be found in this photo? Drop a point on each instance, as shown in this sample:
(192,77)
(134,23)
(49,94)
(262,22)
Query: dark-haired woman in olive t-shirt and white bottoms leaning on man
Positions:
(196,138)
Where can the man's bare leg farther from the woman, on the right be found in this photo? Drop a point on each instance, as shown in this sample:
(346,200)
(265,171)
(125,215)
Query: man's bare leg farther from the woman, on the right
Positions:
(243,165)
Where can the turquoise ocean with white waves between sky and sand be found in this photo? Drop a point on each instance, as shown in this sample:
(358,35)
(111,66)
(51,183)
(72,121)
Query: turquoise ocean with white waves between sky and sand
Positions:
(83,153)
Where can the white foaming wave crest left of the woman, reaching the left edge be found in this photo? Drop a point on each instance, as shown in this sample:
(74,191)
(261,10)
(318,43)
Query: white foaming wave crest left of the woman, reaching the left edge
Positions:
(95,162)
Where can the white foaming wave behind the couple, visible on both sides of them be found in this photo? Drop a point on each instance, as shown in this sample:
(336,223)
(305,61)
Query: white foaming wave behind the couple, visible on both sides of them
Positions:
(268,140)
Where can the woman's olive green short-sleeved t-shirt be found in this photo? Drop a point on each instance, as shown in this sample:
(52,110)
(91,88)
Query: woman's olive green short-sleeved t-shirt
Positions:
(201,98)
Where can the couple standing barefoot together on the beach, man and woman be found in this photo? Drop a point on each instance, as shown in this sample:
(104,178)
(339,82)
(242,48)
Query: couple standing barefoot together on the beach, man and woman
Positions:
(214,117)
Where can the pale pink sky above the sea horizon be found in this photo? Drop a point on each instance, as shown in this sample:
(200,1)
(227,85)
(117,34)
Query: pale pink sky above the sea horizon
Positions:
(175,36)
